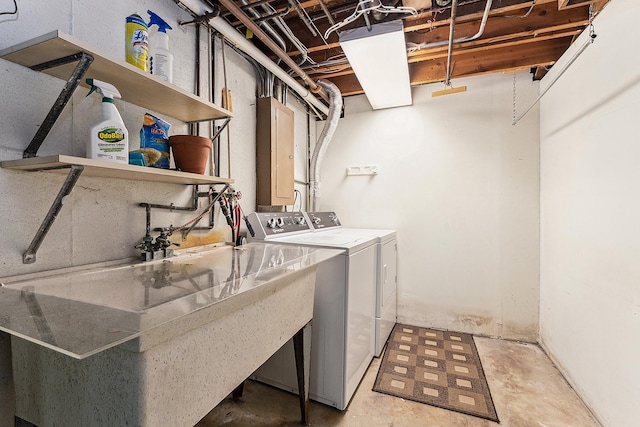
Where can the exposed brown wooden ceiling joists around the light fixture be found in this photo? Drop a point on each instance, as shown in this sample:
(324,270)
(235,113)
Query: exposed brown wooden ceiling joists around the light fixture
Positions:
(519,34)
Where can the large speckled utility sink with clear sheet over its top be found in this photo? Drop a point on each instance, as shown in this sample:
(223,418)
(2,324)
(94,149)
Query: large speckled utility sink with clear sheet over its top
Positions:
(168,339)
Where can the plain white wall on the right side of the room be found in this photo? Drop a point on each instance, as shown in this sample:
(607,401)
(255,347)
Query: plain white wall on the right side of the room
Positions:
(590,211)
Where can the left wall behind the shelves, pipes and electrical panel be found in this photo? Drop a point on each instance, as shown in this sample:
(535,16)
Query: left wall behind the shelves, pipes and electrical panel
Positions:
(101,220)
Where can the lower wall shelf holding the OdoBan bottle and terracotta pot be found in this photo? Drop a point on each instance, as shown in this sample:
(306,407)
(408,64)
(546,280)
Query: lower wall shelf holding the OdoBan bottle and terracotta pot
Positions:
(98,168)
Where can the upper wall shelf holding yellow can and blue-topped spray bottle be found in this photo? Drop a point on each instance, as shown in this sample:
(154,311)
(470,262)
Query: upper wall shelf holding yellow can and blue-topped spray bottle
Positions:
(136,86)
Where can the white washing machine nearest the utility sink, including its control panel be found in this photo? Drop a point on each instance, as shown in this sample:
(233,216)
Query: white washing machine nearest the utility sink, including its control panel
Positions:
(343,325)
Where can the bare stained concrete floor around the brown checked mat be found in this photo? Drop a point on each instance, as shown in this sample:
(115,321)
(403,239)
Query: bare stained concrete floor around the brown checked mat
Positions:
(526,387)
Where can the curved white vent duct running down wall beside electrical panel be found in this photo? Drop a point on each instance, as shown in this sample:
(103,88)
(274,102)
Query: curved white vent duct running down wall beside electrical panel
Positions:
(335,109)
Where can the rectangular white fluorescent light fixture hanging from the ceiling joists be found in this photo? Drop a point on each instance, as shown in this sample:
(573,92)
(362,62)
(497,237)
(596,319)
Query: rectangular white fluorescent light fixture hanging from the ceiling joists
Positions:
(379,59)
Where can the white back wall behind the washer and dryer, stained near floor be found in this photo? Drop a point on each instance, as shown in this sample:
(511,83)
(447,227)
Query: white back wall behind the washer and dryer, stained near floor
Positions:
(459,183)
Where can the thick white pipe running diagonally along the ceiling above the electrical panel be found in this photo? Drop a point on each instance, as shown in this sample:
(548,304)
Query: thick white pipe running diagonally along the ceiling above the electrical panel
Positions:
(249,48)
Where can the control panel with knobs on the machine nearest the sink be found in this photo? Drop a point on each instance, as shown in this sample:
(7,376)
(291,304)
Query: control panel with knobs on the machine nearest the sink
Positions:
(273,224)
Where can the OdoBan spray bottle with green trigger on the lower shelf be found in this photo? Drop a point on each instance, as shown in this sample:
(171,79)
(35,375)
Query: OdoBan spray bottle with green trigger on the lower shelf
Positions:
(108,139)
